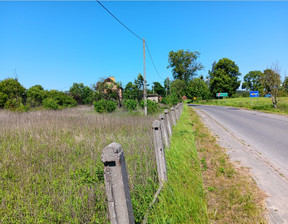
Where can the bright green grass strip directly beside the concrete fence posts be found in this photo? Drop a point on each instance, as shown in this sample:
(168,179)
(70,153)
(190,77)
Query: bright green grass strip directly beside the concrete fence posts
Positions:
(183,197)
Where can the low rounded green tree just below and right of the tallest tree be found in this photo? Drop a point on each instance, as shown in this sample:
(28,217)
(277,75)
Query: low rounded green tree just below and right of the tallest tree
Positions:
(197,88)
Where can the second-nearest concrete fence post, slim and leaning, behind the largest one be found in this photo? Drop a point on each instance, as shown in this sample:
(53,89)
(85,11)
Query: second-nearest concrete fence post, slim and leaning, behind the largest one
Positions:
(159,152)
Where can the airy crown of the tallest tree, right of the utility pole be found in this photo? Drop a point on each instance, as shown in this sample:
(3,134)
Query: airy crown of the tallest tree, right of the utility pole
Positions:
(184,65)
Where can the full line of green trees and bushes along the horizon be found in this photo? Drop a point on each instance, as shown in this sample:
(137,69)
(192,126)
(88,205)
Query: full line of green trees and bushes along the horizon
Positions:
(108,94)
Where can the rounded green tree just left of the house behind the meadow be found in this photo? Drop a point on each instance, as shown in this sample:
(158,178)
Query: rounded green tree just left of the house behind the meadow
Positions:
(82,94)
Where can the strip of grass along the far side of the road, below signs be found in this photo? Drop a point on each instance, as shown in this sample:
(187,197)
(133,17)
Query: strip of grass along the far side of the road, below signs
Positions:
(263,104)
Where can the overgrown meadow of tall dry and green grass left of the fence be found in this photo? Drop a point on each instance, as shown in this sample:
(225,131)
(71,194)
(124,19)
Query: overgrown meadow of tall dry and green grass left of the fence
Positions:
(51,169)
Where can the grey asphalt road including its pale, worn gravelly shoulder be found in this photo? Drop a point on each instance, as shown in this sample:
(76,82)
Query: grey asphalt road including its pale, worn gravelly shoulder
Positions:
(259,141)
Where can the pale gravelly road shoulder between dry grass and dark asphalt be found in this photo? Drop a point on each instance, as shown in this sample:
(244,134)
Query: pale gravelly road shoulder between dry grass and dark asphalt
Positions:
(245,156)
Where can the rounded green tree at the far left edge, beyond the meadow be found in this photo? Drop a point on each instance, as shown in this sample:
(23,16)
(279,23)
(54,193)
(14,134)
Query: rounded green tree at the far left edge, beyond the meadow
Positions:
(12,93)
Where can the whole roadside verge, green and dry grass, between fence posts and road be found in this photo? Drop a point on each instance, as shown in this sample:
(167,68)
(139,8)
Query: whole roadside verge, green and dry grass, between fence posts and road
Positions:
(204,186)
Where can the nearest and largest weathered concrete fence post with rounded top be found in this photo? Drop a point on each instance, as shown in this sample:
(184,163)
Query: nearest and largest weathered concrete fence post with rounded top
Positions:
(117,185)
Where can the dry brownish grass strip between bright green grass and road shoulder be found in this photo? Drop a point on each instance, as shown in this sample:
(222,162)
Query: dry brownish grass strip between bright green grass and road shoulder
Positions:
(232,195)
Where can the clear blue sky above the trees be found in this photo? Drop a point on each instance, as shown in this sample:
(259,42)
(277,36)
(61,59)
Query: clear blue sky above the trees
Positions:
(57,43)
